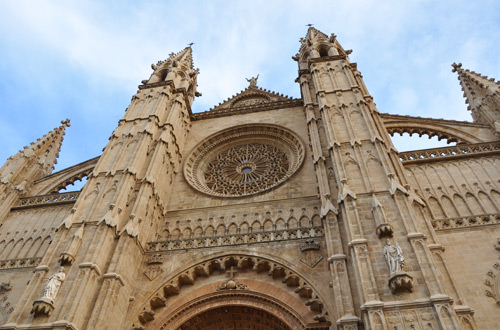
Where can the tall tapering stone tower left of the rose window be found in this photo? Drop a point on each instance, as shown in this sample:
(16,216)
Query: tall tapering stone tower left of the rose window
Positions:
(100,243)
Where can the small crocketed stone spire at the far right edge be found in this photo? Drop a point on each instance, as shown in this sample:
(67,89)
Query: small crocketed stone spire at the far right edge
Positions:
(482,94)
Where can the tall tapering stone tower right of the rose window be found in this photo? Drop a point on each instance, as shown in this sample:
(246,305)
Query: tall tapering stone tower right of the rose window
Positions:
(381,247)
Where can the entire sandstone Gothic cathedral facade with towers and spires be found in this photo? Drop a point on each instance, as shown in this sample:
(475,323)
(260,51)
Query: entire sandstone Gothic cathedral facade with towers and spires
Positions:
(264,212)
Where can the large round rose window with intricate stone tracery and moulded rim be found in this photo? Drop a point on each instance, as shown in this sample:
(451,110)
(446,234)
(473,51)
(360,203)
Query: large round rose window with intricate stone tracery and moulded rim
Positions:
(244,161)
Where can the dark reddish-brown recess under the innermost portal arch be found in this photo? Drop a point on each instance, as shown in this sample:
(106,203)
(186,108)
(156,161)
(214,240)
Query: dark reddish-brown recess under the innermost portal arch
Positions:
(233,318)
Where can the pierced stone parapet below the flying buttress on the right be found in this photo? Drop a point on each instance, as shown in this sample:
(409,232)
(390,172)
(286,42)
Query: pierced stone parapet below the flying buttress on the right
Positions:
(459,151)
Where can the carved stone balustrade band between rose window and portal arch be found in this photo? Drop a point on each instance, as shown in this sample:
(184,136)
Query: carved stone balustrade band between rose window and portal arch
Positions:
(235,239)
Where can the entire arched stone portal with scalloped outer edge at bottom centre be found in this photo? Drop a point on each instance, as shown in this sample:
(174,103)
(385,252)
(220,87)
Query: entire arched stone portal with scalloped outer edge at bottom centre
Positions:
(265,294)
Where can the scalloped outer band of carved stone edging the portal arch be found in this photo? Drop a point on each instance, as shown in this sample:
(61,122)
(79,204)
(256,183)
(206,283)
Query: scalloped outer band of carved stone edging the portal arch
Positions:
(275,270)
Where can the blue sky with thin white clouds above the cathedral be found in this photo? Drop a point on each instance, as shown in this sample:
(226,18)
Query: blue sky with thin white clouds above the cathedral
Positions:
(83,60)
